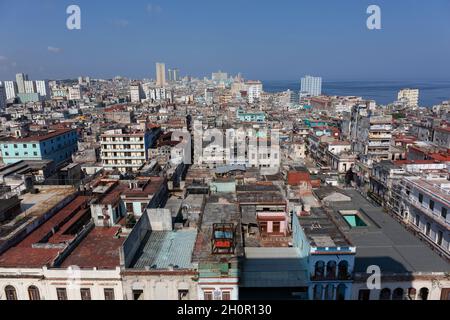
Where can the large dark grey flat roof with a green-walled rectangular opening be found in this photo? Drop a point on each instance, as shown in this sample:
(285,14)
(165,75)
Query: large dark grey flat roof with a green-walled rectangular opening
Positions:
(385,242)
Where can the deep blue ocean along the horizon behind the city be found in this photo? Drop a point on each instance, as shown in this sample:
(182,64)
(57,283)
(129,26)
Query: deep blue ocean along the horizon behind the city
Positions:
(383,92)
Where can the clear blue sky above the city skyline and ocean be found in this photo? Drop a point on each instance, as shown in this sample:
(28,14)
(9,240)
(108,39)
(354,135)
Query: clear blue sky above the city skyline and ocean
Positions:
(267,40)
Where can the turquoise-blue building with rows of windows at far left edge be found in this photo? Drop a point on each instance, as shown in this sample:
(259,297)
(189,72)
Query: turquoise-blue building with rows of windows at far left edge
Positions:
(56,145)
